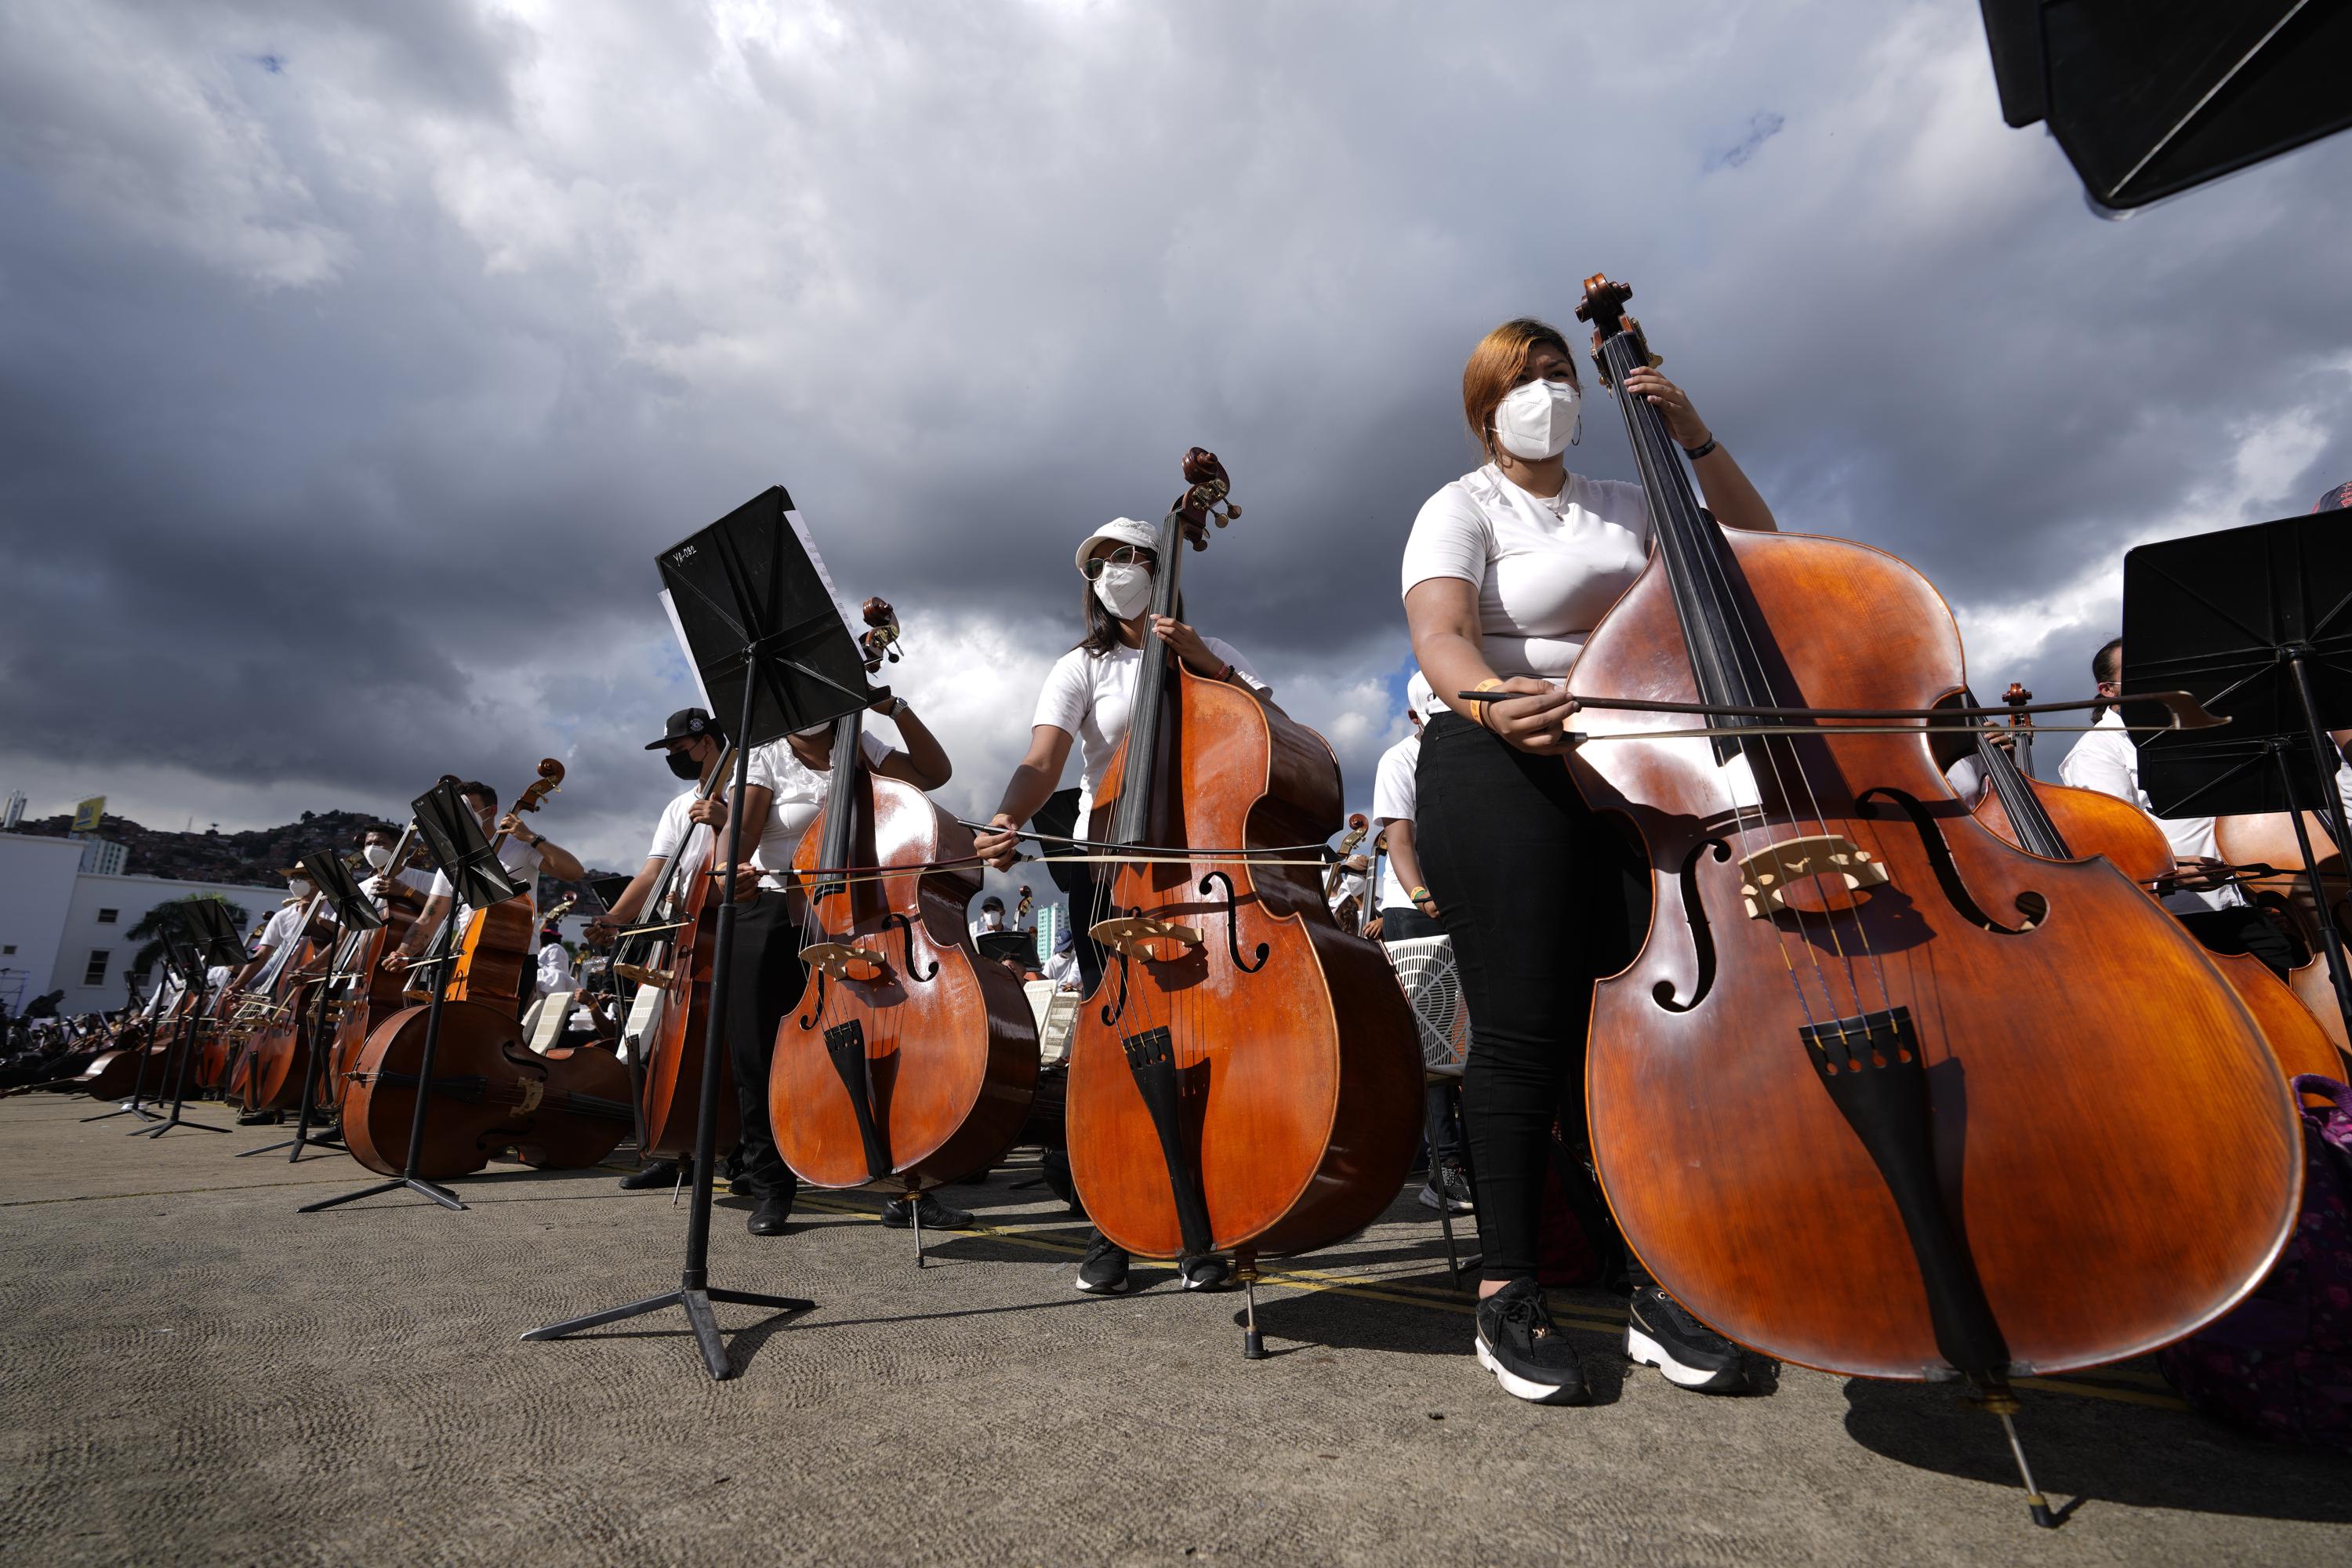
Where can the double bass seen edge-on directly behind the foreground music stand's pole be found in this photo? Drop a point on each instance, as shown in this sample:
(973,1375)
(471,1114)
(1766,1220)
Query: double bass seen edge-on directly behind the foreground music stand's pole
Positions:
(671,1010)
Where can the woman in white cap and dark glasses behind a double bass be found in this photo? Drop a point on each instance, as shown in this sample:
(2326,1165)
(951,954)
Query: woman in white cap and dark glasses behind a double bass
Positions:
(1088,699)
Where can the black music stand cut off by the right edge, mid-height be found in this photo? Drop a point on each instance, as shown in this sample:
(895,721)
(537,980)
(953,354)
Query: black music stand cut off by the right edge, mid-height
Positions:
(2257,624)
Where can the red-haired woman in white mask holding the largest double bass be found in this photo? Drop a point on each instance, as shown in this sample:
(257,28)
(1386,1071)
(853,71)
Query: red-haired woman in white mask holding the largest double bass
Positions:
(1506,572)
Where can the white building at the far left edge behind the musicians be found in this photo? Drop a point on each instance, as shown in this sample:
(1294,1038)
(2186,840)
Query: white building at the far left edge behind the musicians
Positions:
(67,930)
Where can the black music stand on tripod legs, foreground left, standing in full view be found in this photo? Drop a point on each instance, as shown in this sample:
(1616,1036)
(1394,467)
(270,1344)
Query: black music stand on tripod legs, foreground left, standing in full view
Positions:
(768,636)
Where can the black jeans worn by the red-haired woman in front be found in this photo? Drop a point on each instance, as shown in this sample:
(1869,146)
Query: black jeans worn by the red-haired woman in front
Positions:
(1535,894)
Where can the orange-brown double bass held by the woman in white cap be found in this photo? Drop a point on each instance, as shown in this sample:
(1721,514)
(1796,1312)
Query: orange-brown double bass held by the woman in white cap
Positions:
(1245,1076)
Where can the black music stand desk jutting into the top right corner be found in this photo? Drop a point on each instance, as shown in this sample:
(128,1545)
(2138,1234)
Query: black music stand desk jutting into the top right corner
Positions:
(2151,98)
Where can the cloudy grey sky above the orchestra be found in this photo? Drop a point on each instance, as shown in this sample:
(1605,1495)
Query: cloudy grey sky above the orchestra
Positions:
(359,359)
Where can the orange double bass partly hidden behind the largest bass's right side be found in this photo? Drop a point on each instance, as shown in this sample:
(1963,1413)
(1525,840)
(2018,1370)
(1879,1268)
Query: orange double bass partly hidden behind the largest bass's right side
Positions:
(2069,824)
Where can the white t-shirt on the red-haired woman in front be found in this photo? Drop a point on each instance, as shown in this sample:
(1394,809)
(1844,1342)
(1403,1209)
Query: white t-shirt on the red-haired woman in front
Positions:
(1544,568)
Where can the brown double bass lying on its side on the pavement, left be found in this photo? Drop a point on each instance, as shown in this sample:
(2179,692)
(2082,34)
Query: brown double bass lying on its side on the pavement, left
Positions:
(561,1111)
